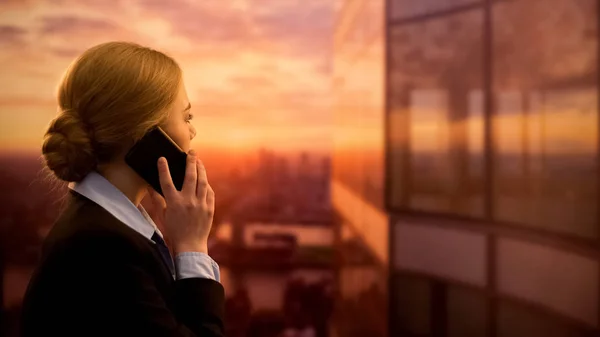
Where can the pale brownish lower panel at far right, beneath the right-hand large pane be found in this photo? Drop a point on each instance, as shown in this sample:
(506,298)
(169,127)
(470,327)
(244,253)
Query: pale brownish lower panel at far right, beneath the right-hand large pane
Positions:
(521,266)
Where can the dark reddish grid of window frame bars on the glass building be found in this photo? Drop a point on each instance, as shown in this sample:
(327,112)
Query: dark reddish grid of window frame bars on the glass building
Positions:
(588,247)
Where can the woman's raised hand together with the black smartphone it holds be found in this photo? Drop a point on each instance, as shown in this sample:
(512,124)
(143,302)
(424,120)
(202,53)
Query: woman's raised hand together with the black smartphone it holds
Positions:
(179,189)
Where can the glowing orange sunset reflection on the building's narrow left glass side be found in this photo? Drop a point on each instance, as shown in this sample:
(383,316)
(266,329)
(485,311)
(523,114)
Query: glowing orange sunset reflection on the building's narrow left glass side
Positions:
(359,97)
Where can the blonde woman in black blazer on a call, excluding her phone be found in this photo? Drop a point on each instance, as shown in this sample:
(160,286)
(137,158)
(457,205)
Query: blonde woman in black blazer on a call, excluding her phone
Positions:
(105,269)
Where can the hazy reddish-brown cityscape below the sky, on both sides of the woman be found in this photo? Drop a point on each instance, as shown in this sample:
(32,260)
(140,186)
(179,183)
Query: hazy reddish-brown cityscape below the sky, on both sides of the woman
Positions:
(272,237)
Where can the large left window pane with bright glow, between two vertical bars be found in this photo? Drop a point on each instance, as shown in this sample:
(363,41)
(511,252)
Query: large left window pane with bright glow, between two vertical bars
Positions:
(436,114)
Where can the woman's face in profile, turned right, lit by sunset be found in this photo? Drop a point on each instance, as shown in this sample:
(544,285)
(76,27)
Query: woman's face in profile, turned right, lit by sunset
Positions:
(179,126)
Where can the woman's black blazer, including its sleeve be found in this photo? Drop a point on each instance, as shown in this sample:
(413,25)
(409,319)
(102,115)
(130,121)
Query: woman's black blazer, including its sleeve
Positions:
(98,277)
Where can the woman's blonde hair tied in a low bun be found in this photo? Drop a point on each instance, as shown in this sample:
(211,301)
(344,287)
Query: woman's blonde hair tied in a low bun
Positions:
(109,98)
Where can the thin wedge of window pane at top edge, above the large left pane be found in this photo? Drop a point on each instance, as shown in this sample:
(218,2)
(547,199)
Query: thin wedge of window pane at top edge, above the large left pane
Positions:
(401,9)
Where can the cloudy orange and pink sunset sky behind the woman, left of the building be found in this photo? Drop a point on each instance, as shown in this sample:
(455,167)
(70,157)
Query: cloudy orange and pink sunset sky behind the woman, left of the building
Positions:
(257,71)
